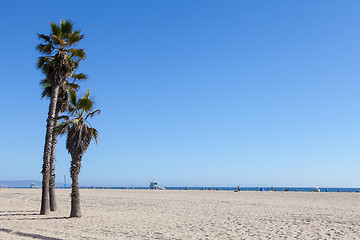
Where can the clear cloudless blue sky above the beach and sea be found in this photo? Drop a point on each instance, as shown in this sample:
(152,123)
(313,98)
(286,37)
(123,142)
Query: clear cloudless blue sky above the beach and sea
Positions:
(195,93)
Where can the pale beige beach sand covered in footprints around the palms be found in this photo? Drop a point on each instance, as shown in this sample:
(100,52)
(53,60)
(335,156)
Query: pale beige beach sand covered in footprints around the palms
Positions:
(173,214)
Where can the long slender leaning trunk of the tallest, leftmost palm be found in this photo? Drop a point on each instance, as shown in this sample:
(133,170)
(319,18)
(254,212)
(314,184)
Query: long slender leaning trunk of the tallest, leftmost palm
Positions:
(45,208)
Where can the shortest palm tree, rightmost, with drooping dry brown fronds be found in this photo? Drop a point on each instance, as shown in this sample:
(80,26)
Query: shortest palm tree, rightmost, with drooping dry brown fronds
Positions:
(79,135)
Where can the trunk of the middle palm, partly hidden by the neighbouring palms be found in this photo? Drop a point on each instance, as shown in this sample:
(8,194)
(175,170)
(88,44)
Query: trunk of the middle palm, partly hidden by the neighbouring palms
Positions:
(53,203)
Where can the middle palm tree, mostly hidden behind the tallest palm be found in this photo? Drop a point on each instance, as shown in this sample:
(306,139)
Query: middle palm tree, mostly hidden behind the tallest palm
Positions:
(61,107)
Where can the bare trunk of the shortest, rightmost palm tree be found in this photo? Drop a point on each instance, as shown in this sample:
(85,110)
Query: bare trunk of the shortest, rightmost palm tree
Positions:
(75,194)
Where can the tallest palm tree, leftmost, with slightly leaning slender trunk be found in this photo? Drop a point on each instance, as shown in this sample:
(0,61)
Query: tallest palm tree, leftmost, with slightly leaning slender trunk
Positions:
(59,59)
